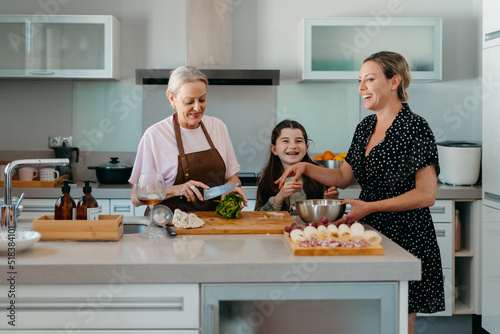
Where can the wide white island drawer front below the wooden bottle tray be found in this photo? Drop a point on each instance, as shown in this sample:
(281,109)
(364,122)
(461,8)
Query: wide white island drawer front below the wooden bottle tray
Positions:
(117,306)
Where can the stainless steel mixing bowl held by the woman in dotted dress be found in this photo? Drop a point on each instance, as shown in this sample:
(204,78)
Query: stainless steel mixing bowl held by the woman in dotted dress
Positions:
(313,210)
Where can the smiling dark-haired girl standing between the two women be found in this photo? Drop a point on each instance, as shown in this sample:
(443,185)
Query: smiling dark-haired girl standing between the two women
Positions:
(289,144)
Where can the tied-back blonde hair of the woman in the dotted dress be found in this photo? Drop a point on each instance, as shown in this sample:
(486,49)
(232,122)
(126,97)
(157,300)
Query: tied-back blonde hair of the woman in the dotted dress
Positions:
(392,64)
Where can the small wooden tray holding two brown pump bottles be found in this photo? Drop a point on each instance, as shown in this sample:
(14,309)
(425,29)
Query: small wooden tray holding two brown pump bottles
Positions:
(107,228)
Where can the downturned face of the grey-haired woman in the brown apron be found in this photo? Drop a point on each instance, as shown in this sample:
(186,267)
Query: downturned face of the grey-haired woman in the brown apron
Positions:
(190,103)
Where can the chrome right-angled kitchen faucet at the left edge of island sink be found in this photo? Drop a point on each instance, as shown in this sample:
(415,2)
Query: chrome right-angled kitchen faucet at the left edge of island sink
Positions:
(8,210)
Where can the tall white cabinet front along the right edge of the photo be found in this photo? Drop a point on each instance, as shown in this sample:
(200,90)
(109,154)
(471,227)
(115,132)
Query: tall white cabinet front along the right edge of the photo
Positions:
(490,281)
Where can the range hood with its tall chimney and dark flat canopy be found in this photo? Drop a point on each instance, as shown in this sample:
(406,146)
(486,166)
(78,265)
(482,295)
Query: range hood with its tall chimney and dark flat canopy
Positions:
(208,47)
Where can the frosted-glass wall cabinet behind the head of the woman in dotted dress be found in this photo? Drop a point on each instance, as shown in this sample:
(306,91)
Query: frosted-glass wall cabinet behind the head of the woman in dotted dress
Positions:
(333,49)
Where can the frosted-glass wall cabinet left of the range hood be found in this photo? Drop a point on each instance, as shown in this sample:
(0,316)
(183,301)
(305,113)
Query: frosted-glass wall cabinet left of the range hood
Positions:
(59,46)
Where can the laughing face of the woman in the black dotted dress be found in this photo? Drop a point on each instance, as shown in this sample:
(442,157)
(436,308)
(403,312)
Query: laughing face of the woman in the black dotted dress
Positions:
(374,87)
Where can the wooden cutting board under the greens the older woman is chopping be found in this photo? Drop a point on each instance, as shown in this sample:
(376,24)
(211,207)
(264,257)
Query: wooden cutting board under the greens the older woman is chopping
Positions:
(249,222)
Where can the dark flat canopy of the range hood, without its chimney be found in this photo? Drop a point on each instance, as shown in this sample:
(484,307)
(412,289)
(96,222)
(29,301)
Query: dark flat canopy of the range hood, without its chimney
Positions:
(215,77)
